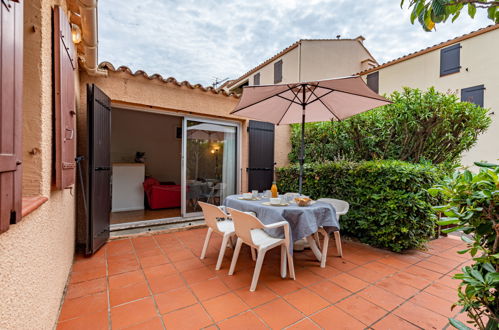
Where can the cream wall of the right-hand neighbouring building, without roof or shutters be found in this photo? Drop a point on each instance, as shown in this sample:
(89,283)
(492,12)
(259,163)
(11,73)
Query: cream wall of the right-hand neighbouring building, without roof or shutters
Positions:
(478,66)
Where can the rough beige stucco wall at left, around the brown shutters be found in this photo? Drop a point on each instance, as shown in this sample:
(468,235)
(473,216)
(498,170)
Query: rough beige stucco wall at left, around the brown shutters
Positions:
(36,254)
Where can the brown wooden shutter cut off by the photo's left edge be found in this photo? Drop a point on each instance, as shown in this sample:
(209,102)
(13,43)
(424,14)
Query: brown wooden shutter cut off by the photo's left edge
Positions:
(11,67)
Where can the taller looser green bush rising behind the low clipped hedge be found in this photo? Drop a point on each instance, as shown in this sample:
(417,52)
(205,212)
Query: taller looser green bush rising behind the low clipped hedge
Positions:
(418,126)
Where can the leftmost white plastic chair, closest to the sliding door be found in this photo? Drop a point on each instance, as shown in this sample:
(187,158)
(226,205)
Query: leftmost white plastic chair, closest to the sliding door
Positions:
(213,215)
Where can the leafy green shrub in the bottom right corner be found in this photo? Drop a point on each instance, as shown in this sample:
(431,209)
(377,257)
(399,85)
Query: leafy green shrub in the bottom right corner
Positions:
(472,205)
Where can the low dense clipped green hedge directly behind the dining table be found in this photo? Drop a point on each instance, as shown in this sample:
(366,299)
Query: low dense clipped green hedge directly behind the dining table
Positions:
(389,203)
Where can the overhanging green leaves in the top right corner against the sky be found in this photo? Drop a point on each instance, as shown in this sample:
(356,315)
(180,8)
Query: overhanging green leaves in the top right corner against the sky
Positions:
(431,12)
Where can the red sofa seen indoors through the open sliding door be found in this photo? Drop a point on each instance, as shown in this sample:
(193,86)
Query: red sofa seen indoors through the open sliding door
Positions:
(161,196)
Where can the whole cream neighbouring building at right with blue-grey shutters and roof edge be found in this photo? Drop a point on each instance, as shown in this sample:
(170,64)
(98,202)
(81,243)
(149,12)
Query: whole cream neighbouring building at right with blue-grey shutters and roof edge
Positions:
(467,66)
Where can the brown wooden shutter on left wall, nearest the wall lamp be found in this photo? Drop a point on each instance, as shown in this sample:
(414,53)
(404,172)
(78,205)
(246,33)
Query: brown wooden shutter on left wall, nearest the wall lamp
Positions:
(65,105)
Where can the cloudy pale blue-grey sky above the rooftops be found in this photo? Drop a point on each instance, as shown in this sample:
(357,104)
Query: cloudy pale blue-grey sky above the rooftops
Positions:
(202,40)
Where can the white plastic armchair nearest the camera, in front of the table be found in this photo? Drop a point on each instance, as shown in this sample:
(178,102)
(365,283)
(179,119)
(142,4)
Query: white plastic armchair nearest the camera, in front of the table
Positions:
(249,230)
